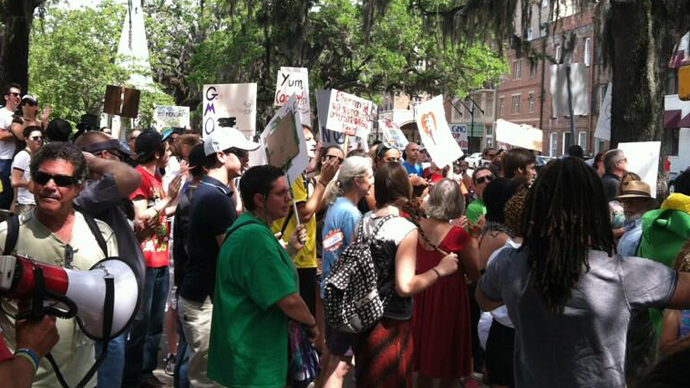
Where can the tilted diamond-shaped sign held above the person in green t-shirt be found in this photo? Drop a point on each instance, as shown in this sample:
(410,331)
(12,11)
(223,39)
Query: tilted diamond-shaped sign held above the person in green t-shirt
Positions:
(283,140)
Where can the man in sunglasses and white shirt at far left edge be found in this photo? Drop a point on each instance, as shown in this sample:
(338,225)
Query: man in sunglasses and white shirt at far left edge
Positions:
(12,97)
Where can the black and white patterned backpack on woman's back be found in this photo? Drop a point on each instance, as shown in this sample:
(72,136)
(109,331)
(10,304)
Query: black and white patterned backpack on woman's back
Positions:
(352,302)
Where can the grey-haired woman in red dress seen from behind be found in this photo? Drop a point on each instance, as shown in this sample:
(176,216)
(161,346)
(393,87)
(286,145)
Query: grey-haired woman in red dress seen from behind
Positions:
(441,314)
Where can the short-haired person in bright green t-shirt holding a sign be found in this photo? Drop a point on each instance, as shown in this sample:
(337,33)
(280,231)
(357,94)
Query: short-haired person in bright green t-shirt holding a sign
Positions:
(256,290)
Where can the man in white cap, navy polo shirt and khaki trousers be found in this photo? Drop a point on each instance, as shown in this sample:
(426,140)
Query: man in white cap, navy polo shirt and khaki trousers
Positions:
(211,213)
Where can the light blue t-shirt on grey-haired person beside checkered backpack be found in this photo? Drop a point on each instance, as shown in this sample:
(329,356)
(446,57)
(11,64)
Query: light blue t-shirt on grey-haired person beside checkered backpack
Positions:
(338,227)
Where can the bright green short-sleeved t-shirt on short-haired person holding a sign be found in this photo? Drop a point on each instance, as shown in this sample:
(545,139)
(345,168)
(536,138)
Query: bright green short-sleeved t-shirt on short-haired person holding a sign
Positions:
(248,345)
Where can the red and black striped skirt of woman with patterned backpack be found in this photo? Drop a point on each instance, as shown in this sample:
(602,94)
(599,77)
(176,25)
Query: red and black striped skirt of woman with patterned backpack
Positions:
(383,355)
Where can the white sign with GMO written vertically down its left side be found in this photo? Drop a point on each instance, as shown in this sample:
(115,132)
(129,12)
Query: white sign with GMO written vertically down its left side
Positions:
(227,101)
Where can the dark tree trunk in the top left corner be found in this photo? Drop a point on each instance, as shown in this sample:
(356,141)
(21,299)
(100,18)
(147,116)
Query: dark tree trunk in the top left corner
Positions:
(14,48)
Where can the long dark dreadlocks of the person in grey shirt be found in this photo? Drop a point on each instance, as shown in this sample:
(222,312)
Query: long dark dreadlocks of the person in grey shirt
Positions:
(566,215)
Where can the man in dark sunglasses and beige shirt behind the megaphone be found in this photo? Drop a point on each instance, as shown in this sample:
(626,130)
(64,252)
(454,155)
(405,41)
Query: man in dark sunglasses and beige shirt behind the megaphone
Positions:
(55,234)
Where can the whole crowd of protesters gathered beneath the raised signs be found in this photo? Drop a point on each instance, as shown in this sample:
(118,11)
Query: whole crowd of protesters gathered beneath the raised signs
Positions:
(566,274)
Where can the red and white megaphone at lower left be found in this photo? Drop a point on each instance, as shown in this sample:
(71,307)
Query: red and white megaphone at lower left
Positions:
(86,294)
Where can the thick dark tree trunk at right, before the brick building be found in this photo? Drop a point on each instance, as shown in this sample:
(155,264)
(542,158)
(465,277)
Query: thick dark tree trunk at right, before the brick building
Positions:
(642,44)
